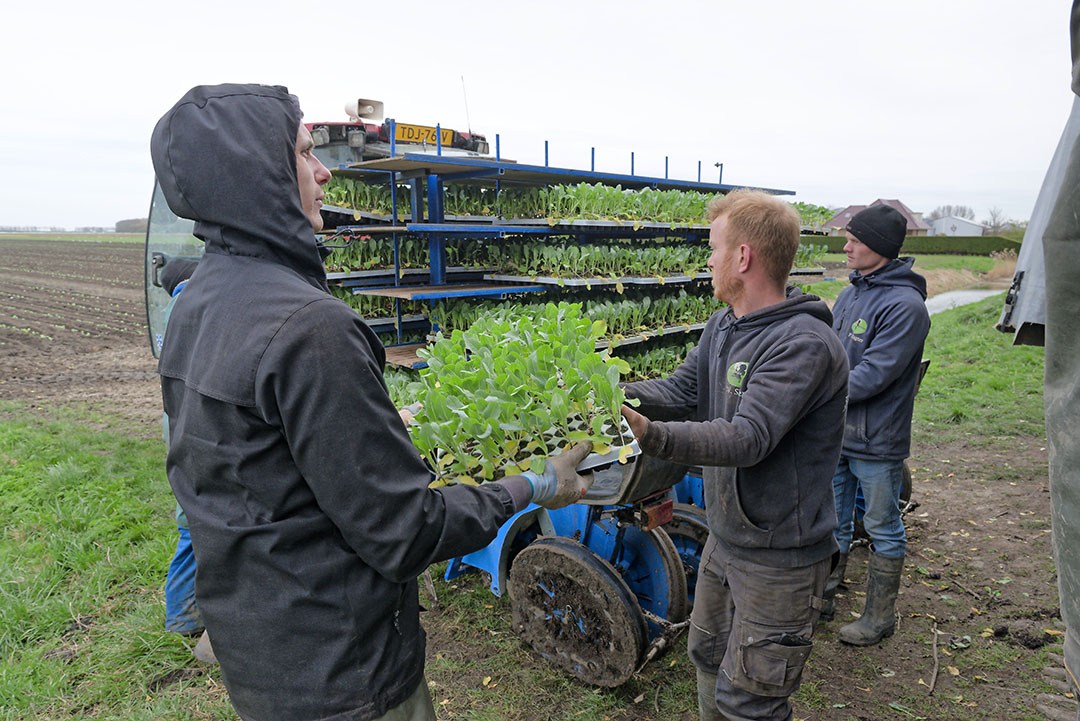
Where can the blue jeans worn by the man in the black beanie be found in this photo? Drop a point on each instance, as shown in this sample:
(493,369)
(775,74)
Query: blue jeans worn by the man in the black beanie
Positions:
(881,482)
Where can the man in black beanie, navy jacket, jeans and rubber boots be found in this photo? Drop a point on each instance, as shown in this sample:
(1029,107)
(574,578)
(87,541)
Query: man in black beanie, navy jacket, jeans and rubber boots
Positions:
(883,322)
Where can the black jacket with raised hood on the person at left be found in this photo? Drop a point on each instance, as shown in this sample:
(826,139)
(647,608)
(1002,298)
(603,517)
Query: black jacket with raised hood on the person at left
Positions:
(309,507)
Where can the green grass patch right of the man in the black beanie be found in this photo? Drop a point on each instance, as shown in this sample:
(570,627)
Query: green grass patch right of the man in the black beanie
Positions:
(980,387)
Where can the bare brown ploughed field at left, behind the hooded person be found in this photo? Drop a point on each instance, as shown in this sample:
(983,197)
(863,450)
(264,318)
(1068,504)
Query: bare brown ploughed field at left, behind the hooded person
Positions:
(73,325)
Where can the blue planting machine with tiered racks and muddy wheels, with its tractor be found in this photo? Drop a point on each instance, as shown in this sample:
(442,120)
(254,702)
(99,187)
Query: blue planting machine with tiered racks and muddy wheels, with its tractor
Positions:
(599,588)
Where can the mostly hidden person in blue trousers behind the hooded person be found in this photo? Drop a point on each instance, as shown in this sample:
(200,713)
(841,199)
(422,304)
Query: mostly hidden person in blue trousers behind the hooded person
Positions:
(182,611)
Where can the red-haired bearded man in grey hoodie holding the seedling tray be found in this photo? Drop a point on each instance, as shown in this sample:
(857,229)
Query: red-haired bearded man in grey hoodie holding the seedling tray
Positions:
(759,404)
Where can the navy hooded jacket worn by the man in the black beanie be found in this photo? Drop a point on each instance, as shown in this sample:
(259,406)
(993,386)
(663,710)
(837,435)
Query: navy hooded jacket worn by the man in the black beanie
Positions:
(883,322)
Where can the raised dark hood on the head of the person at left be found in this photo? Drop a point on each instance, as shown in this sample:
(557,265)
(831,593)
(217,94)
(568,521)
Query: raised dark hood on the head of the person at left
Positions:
(225,157)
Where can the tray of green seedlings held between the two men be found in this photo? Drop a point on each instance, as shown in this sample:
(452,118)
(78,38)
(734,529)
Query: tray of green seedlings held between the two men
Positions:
(518,387)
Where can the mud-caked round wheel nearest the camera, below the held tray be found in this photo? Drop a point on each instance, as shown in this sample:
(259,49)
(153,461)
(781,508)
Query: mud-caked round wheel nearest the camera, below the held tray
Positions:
(576,611)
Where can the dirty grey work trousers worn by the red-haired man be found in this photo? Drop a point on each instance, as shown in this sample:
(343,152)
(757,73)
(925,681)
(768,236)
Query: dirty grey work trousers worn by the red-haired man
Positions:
(752,628)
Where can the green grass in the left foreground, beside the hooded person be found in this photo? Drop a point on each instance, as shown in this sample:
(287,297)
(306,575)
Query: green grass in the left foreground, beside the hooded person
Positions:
(87,537)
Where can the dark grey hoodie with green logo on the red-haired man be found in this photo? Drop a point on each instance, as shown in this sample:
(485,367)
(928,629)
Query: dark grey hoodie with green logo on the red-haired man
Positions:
(760,404)
